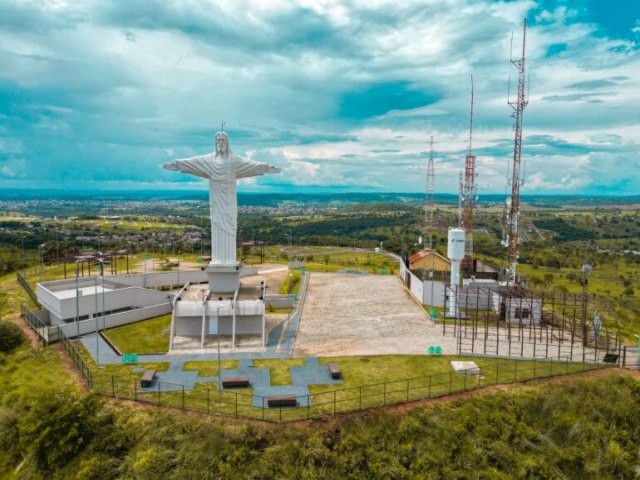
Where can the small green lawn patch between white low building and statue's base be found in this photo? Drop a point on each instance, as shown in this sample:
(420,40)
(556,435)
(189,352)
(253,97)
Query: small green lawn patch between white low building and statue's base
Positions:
(147,336)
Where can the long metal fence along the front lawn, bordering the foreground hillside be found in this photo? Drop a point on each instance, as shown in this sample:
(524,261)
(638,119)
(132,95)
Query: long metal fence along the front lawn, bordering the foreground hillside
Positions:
(243,404)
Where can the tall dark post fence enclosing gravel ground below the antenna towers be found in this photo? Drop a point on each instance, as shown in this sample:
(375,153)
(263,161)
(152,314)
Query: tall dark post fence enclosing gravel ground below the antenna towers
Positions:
(516,323)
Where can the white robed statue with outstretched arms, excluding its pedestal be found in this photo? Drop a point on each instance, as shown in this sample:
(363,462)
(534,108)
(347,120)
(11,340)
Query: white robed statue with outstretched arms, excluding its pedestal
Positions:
(222,170)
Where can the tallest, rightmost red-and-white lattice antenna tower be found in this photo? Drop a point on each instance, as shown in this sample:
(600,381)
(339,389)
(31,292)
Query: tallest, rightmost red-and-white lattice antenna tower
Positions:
(513,202)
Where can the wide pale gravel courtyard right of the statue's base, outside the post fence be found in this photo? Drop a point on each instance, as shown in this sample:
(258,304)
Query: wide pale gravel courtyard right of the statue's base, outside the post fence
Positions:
(349,314)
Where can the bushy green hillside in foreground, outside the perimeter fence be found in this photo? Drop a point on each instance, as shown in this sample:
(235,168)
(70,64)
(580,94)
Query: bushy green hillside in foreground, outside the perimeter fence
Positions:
(583,430)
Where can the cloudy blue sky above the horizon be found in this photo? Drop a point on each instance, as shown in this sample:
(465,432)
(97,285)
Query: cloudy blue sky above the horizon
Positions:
(343,96)
